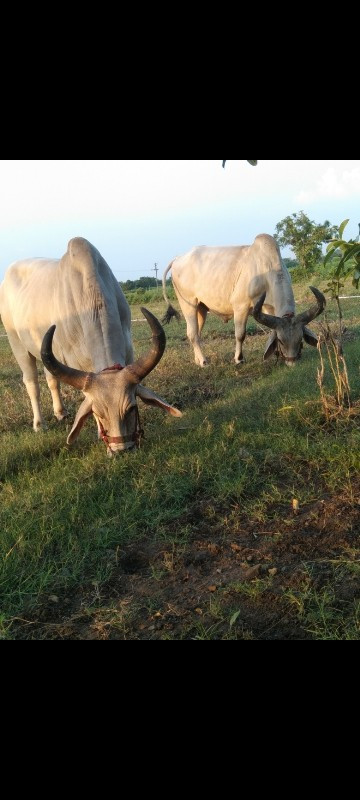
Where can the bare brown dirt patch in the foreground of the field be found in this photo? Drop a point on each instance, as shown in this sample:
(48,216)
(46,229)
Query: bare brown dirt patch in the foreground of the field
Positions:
(243,581)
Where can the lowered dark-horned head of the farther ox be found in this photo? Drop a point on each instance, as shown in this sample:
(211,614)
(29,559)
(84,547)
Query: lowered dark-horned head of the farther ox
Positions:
(288,331)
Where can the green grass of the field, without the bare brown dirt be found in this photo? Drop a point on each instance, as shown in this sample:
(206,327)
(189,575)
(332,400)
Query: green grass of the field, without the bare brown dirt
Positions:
(250,440)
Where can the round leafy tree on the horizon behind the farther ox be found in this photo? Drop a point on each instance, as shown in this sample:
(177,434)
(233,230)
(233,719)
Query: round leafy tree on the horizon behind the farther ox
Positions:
(305,237)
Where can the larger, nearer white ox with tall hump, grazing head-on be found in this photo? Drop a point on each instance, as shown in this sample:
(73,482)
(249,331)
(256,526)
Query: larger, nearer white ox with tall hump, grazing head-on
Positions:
(79,297)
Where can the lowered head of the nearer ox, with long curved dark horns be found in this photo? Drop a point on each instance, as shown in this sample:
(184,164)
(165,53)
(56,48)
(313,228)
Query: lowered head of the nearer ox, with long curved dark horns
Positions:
(111,395)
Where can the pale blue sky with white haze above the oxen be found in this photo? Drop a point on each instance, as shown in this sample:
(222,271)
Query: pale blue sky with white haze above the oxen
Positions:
(138,213)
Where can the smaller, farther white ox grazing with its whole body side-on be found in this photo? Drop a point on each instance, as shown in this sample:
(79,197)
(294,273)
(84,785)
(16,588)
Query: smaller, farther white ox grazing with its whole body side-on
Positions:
(233,281)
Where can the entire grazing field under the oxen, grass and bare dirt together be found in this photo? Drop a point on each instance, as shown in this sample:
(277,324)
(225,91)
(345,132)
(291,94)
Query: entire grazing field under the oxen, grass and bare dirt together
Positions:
(195,535)
